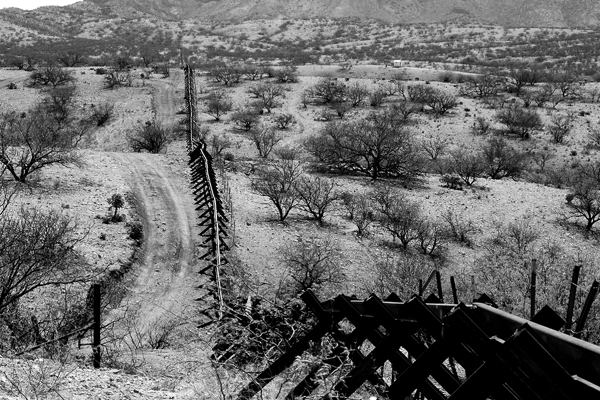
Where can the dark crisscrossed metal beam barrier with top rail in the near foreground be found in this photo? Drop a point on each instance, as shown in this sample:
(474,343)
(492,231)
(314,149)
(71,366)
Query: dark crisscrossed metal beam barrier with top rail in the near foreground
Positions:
(500,356)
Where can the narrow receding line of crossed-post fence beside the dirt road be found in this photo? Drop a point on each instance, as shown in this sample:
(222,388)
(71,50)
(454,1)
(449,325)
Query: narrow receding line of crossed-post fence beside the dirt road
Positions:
(208,201)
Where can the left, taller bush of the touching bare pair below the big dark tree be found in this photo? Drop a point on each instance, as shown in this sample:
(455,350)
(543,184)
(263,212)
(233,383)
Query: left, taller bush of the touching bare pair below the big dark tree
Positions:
(278,183)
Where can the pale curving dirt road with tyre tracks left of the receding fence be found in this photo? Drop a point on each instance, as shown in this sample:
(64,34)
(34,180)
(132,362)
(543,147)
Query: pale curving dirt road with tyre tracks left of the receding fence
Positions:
(165,280)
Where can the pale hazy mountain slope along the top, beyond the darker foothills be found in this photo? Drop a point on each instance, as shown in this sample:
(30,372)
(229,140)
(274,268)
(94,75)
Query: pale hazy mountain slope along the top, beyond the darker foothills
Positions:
(529,13)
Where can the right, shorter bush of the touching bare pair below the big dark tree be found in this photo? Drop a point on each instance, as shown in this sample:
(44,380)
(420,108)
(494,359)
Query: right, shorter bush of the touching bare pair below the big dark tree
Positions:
(317,195)
